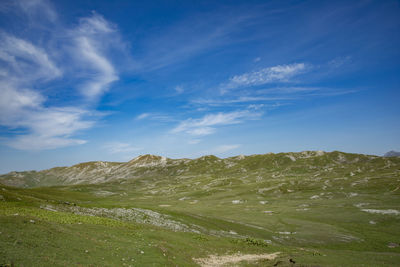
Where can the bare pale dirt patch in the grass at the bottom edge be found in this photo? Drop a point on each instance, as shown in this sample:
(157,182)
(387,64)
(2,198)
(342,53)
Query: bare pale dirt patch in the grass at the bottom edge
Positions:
(215,260)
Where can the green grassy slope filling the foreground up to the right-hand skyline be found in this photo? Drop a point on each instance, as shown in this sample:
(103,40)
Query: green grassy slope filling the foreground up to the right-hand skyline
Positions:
(313,214)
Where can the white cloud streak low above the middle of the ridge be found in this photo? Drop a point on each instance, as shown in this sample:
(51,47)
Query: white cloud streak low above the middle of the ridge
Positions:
(207,124)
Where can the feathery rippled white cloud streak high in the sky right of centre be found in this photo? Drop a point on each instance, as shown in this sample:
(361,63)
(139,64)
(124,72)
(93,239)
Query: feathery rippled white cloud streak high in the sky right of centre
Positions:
(279,73)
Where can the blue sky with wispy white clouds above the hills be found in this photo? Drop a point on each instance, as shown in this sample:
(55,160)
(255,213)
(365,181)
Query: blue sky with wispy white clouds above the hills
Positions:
(110,80)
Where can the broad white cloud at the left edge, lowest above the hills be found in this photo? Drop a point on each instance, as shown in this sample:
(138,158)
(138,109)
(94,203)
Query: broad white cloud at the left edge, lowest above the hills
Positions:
(43,128)
